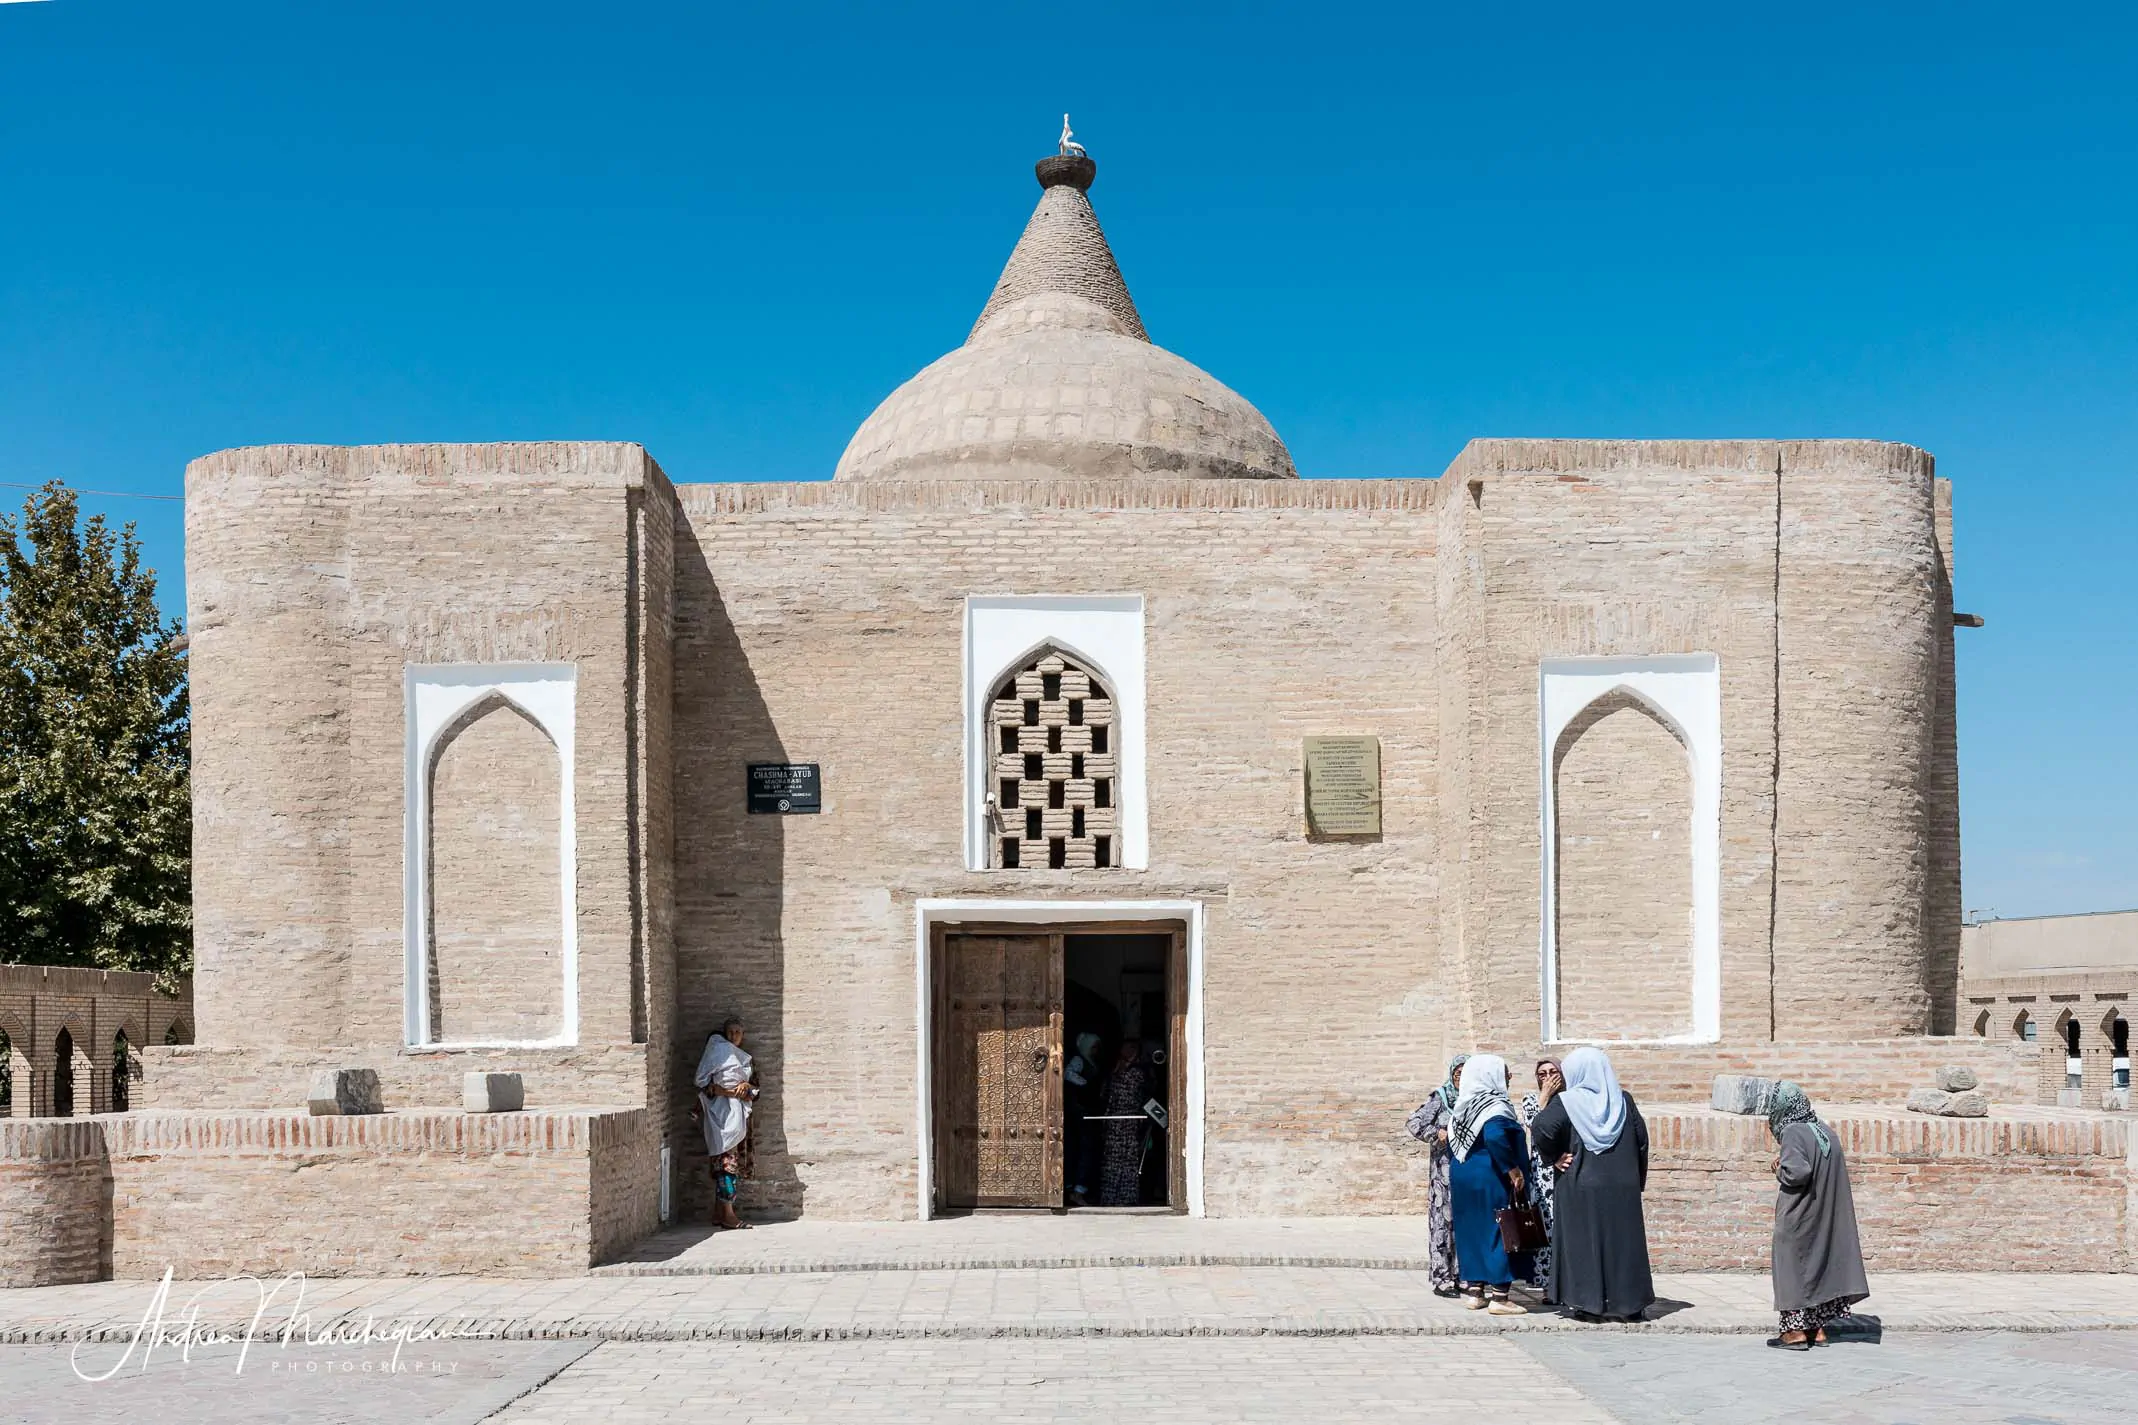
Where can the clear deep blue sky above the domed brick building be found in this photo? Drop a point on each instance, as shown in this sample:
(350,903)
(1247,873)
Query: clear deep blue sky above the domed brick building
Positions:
(728,232)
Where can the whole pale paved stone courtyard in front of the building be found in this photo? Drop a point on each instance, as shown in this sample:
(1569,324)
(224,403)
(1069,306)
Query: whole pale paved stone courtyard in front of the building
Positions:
(1053,1319)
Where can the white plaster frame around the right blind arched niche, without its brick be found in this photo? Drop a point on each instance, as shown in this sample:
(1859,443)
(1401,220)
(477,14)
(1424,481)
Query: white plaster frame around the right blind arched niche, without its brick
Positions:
(1686,691)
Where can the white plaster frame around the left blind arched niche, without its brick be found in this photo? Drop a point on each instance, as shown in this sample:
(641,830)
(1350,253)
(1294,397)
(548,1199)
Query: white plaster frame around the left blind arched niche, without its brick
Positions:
(435,695)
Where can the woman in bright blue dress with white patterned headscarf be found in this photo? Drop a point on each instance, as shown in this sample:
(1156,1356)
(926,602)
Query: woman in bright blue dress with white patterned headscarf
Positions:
(1489,1172)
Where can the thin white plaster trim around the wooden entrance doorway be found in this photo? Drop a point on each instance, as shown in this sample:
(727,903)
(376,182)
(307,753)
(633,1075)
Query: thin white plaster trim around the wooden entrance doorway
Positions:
(931,913)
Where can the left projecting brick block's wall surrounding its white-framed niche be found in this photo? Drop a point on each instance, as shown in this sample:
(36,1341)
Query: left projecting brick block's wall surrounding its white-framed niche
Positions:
(315,576)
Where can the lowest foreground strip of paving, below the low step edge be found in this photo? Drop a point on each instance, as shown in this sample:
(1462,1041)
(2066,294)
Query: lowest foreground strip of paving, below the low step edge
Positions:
(1570,1379)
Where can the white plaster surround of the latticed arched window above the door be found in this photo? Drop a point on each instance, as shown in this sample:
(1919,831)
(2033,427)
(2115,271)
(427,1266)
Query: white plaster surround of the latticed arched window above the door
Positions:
(1104,633)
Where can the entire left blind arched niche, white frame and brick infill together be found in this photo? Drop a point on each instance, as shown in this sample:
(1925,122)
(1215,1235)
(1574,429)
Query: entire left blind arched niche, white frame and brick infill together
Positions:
(516,721)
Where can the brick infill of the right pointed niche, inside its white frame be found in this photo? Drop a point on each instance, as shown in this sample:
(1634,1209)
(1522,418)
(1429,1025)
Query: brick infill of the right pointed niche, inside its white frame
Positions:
(1624,875)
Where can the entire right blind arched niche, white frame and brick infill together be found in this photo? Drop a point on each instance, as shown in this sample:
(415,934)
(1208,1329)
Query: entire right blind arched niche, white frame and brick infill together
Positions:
(1660,723)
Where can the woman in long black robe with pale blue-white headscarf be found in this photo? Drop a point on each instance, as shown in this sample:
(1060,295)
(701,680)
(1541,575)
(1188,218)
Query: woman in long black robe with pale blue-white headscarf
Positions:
(1600,1238)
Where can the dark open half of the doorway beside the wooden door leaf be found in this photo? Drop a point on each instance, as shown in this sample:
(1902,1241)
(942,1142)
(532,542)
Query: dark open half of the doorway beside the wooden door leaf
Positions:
(1115,1071)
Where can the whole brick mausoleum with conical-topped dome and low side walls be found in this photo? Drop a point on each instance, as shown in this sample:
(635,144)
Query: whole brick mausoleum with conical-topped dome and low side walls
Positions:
(1089,717)
